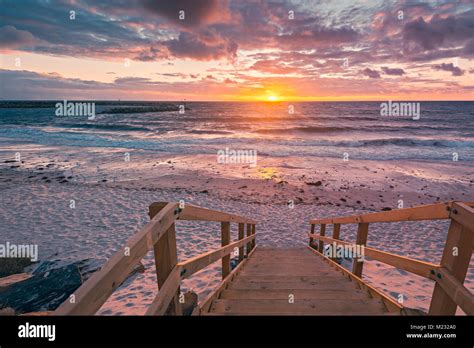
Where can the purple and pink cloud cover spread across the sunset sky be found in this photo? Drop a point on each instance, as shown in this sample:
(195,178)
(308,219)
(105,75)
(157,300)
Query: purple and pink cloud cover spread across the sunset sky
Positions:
(259,33)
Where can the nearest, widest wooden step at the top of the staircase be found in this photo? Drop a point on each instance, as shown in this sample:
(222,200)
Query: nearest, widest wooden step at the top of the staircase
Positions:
(299,307)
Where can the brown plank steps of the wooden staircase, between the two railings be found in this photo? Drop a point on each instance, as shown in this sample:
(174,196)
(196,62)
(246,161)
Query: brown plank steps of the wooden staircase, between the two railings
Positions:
(293,282)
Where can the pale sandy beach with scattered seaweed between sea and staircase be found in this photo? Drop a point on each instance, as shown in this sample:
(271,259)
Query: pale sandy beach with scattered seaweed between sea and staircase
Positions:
(112,189)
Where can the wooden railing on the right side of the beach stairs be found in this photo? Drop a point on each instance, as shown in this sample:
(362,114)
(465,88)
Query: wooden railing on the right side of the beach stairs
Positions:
(449,275)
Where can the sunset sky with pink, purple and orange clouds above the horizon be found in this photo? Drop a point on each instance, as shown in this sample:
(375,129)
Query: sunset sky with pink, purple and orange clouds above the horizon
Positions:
(236,50)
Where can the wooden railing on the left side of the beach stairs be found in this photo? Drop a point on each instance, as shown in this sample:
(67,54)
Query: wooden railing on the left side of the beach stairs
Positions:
(159,235)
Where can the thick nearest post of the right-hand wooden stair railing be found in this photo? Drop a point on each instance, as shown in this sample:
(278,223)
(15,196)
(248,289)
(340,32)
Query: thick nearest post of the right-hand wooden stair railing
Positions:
(456,257)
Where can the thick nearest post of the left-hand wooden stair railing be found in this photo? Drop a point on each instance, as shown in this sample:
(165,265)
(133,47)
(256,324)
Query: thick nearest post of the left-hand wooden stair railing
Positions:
(166,258)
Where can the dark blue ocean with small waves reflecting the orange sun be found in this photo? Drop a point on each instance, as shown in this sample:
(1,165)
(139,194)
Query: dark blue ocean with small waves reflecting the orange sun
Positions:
(356,130)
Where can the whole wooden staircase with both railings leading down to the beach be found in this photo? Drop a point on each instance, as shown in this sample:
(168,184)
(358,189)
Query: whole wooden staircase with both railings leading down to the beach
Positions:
(299,281)
